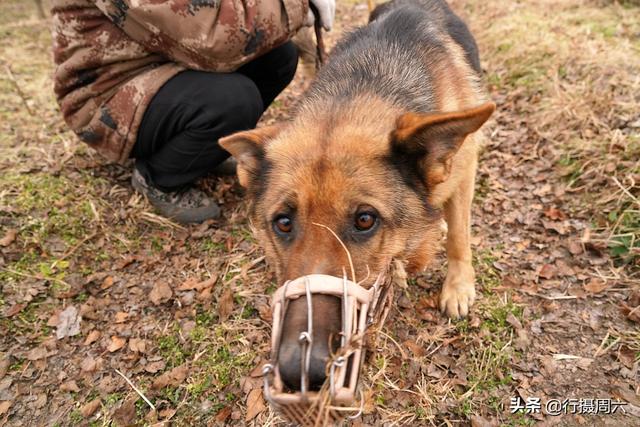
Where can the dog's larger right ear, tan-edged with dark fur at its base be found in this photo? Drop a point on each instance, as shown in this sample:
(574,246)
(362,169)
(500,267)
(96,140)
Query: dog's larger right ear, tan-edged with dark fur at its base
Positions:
(431,140)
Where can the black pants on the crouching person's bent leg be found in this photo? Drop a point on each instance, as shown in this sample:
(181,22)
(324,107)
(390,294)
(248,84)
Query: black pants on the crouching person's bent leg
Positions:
(178,137)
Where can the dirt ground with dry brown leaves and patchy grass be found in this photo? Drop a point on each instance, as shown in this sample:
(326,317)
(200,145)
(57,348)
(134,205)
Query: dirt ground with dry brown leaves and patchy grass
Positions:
(99,295)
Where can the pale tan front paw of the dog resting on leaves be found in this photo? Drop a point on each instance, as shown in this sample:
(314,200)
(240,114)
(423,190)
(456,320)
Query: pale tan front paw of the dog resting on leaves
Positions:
(458,292)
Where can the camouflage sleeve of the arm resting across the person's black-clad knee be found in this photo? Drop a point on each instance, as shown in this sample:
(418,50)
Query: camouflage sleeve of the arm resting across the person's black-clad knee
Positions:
(208,35)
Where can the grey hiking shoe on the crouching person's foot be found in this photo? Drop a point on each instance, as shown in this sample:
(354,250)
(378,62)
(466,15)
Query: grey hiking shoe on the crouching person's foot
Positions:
(185,206)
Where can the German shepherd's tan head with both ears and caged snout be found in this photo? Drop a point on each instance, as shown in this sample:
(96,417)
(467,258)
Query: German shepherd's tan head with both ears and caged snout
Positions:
(331,191)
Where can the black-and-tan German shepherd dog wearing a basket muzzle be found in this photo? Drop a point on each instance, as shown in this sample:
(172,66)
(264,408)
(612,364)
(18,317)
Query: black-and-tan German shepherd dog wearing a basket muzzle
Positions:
(382,146)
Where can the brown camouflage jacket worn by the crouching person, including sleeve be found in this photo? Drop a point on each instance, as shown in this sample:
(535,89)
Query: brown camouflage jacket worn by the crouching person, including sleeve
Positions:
(112,56)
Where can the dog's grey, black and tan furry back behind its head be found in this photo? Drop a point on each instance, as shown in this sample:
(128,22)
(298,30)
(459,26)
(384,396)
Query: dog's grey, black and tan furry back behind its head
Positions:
(411,54)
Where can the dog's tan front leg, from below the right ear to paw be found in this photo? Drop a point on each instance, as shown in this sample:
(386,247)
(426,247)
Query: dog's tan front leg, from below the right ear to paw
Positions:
(458,291)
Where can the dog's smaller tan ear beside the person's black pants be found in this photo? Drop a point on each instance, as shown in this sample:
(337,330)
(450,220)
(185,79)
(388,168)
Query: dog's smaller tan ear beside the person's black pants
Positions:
(247,148)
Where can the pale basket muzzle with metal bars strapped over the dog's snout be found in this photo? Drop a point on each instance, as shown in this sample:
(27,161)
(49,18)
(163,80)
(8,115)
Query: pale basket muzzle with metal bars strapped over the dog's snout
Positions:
(361,308)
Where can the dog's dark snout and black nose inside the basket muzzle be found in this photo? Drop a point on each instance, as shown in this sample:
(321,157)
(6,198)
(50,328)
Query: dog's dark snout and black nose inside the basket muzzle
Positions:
(327,321)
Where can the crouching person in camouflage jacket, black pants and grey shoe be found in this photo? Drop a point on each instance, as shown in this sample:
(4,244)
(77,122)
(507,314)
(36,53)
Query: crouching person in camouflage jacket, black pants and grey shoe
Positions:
(161,82)
